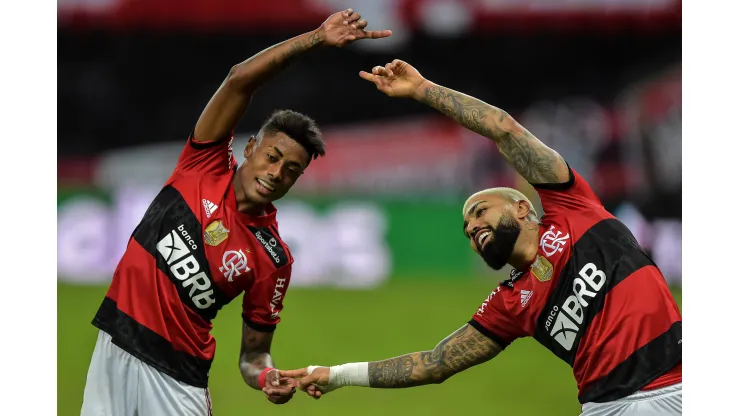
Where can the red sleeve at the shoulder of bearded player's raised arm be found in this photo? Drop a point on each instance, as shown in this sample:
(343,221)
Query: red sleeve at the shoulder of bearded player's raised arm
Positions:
(574,195)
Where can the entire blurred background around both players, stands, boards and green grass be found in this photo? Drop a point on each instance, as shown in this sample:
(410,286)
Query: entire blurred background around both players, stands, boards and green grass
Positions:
(381,266)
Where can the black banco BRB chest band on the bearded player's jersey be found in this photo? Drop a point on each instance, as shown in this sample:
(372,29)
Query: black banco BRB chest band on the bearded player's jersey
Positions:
(608,247)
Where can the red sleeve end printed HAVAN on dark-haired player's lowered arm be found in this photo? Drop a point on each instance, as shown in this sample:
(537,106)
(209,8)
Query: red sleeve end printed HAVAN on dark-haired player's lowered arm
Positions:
(263,302)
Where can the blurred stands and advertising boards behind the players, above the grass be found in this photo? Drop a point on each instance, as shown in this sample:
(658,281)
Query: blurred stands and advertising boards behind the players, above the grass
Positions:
(597,80)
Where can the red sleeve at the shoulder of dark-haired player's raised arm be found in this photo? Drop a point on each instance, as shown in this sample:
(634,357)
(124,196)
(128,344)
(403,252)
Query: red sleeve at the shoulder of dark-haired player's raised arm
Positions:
(215,157)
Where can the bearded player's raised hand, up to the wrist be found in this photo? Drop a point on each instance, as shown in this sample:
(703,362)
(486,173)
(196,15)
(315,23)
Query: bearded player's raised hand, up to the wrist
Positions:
(396,79)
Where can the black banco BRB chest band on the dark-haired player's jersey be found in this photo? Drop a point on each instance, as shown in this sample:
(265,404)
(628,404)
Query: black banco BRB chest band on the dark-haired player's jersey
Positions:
(171,233)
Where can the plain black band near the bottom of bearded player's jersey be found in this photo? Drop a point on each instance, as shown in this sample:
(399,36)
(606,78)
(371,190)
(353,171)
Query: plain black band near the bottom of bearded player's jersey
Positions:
(654,359)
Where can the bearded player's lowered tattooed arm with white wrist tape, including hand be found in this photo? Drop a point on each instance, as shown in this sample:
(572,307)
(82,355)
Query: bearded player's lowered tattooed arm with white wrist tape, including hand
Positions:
(461,350)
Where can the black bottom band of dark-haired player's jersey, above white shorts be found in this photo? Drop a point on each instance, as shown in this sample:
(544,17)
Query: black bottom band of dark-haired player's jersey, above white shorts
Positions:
(150,347)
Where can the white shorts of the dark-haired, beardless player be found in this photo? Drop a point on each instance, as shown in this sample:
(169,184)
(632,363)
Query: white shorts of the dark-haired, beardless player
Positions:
(119,384)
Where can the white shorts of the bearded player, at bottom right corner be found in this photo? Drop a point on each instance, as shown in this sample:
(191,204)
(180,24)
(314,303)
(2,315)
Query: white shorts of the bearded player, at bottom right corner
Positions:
(665,401)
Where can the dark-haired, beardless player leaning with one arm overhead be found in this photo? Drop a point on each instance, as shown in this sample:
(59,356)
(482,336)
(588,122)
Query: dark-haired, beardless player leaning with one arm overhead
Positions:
(208,236)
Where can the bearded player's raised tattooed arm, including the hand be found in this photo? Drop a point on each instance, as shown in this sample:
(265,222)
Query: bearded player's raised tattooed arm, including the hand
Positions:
(536,162)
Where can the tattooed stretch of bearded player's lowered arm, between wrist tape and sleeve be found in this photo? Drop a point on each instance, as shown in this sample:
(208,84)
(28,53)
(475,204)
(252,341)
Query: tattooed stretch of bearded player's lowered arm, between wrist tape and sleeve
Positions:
(461,350)
